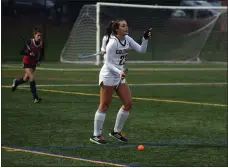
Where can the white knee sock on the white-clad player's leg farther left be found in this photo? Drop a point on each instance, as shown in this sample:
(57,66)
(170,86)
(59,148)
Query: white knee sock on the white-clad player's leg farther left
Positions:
(98,123)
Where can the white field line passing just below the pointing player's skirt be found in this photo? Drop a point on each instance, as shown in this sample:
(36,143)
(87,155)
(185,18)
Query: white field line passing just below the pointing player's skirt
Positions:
(134,85)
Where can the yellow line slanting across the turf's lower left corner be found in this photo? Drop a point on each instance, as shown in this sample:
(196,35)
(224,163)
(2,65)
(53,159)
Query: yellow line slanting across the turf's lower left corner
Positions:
(64,157)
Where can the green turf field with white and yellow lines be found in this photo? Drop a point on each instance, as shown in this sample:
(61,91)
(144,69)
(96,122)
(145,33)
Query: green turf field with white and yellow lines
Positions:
(179,115)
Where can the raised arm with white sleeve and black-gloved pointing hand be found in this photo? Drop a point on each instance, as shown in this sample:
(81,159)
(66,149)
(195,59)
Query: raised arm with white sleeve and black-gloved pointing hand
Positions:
(140,48)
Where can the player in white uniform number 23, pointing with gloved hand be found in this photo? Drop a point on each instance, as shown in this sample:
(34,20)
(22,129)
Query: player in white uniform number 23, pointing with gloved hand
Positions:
(110,76)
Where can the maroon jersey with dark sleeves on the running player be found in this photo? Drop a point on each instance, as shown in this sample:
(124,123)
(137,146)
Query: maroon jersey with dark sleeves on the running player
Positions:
(36,48)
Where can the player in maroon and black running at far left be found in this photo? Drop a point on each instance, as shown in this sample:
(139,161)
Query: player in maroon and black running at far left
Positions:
(33,52)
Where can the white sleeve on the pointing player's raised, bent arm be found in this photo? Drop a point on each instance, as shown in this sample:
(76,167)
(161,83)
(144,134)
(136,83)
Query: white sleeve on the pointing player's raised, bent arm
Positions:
(135,46)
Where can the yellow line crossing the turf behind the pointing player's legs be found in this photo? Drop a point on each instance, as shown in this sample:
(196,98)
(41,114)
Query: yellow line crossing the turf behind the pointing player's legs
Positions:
(134,98)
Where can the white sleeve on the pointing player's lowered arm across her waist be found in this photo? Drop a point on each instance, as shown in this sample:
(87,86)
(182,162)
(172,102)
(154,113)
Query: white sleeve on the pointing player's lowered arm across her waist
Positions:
(110,53)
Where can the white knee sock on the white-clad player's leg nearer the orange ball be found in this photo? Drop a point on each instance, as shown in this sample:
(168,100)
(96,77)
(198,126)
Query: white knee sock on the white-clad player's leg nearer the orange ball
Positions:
(121,117)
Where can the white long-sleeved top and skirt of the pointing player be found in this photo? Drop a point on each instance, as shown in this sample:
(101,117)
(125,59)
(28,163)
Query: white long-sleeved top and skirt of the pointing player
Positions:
(115,57)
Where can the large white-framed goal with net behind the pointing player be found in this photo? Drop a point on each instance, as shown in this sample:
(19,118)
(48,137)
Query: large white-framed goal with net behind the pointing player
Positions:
(180,34)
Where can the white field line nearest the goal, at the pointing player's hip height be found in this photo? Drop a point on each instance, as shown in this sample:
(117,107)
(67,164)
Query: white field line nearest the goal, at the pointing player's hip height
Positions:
(131,69)
